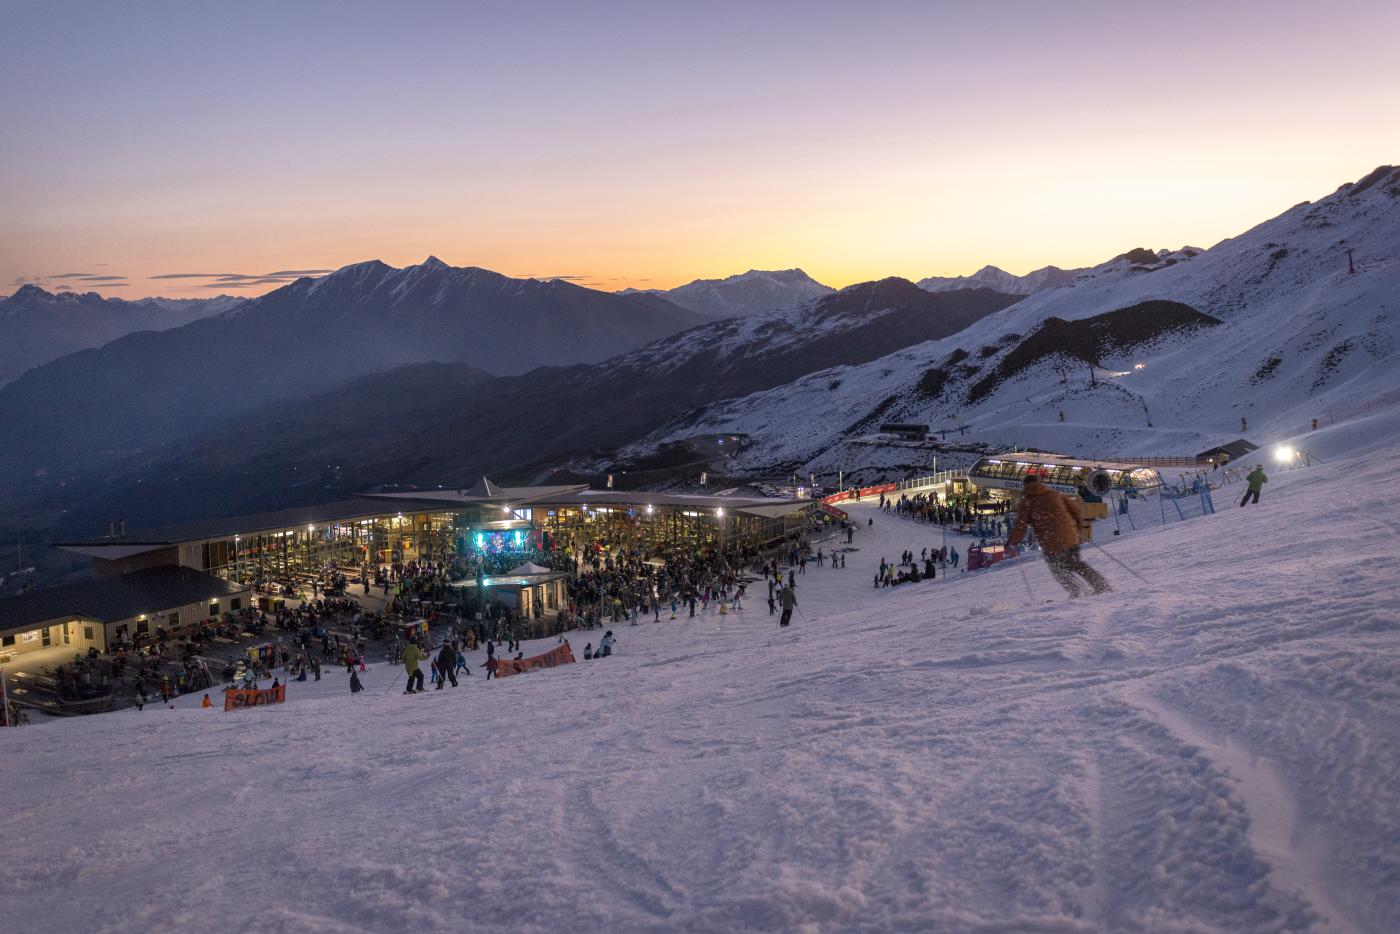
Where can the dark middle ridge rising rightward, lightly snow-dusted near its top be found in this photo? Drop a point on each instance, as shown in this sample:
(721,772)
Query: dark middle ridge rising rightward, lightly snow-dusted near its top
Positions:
(449,424)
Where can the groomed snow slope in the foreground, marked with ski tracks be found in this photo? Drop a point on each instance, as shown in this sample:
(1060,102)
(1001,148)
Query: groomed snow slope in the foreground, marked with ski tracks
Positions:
(1217,748)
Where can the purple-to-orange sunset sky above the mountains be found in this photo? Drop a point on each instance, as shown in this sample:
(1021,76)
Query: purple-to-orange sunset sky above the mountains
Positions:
(149,148)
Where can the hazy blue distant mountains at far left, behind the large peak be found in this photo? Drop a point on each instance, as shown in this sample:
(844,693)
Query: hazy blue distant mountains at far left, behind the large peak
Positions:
(38,327)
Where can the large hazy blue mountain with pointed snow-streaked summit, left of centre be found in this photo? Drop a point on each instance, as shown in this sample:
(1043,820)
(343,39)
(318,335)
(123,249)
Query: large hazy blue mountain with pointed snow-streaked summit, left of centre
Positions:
(155,389)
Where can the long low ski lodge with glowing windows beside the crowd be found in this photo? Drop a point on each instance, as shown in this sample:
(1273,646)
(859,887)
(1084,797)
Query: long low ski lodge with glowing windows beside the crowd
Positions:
(187,575)
